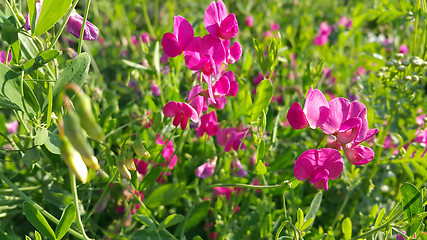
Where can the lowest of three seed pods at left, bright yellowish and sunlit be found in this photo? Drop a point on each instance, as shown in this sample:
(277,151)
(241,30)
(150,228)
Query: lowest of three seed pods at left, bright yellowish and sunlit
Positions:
(73,159)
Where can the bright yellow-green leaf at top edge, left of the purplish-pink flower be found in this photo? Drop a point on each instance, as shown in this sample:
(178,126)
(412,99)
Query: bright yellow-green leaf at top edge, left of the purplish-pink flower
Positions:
(51,12)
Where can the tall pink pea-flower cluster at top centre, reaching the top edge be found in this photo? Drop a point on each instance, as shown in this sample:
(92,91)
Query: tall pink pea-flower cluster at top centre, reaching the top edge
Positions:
(209,56)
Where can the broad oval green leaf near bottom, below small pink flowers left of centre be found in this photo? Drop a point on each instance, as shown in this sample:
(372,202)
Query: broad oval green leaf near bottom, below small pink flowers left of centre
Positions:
(165,194)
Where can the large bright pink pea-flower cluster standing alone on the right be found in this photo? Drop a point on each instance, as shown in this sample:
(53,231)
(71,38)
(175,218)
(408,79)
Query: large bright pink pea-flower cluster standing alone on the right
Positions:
(345,122)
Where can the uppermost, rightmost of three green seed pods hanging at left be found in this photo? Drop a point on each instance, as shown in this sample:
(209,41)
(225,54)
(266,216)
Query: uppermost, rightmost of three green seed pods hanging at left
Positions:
(84,110)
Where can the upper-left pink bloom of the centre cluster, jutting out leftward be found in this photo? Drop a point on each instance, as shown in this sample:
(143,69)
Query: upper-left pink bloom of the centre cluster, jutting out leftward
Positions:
(183,33)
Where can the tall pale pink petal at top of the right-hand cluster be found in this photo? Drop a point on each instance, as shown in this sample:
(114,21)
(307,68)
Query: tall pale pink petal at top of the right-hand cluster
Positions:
(316,108)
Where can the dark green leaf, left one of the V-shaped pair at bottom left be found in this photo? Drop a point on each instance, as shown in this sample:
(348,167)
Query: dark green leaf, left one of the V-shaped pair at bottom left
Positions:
(38,221)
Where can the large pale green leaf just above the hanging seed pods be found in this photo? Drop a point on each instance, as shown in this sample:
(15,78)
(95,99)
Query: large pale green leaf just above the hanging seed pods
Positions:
(75,72)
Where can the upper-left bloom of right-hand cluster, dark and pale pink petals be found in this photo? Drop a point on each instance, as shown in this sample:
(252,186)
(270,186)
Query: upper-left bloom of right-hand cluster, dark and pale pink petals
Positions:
(314,114)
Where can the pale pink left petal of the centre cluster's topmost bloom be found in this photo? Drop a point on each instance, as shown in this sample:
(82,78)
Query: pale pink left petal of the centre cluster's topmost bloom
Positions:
(214,14)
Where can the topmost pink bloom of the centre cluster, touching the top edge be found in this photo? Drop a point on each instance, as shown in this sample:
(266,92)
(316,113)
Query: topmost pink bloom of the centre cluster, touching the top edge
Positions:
(218,23)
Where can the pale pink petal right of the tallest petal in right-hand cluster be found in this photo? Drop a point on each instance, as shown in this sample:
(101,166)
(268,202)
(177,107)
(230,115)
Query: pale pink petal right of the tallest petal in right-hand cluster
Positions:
(338,112)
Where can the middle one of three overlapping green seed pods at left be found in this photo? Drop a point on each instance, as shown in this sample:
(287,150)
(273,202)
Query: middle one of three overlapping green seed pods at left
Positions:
(74,133)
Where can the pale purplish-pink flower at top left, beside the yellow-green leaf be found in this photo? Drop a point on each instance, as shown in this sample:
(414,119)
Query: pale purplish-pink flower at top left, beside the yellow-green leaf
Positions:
(74,26)
